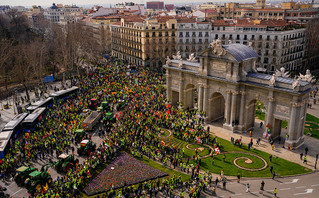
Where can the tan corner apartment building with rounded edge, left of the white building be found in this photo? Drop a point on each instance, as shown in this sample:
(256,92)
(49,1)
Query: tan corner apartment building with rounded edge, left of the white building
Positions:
(144,41)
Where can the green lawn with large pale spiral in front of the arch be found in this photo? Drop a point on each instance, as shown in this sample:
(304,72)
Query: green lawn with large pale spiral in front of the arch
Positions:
(281,166)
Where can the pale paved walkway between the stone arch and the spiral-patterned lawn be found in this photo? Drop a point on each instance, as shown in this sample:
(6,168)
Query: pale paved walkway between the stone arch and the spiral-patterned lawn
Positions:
(293,156)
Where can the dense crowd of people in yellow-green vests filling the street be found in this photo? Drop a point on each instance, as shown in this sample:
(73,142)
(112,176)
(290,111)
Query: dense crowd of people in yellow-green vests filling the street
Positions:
(135,131)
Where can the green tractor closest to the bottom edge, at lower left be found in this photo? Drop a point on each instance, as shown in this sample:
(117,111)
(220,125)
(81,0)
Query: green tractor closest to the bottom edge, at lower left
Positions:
(39,179)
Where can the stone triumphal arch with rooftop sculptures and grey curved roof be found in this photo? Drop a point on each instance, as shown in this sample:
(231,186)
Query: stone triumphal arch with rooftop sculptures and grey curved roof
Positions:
(228,87)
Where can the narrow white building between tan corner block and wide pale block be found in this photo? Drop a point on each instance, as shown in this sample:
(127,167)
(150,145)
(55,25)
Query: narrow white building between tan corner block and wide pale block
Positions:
(192,36)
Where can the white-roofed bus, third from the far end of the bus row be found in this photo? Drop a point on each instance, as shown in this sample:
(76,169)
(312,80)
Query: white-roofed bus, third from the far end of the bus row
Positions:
(32,121)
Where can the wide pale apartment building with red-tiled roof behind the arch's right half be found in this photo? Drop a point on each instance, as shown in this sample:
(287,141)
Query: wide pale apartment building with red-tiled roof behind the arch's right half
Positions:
(278,43)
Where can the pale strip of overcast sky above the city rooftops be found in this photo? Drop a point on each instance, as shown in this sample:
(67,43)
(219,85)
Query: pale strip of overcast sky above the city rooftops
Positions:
(46,3)
